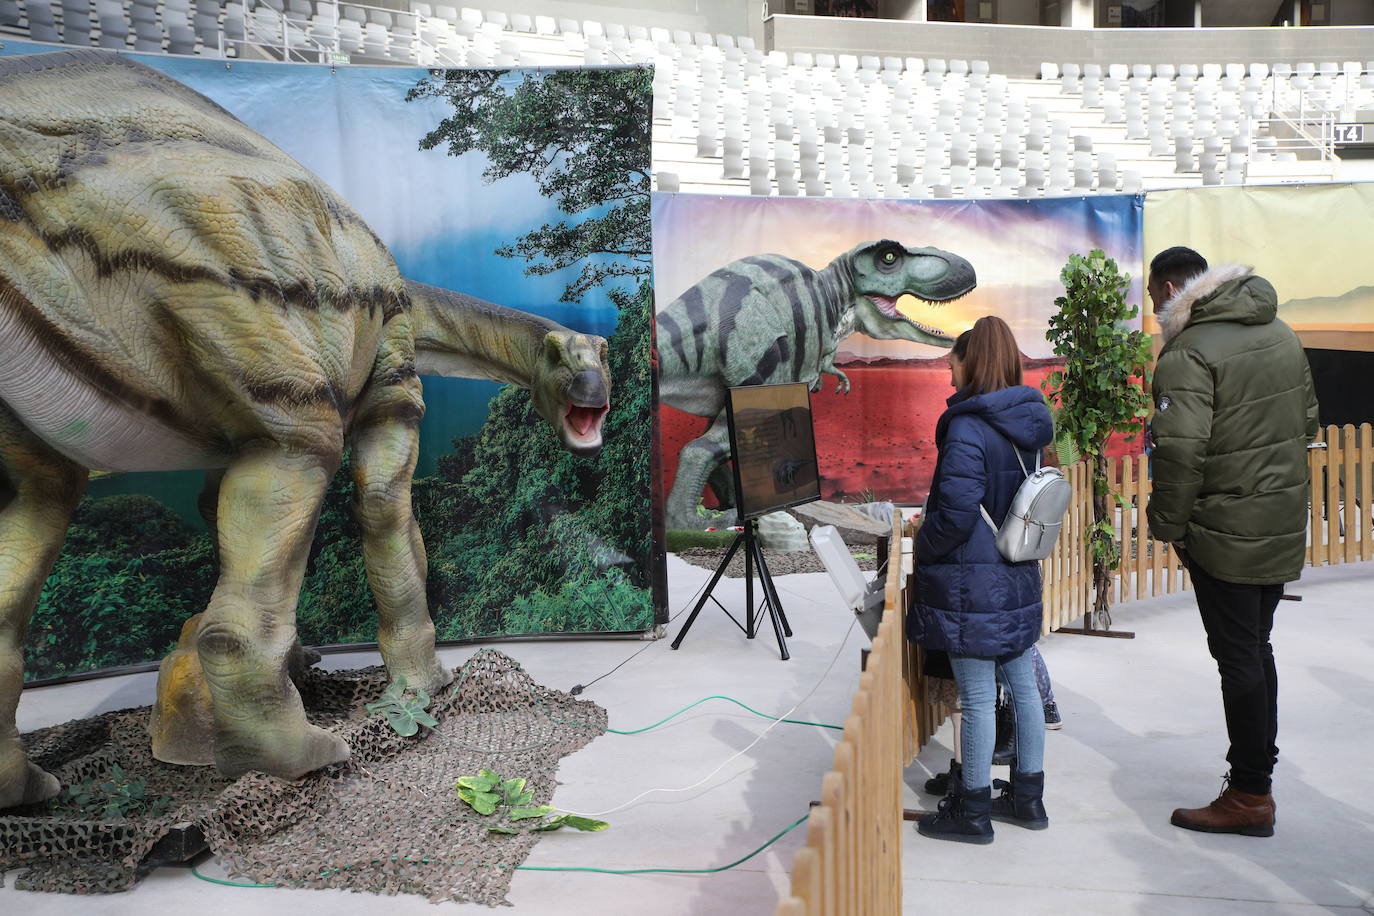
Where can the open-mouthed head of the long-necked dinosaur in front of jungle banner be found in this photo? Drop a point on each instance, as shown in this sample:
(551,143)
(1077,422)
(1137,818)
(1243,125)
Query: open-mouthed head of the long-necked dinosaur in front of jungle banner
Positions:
(571,389)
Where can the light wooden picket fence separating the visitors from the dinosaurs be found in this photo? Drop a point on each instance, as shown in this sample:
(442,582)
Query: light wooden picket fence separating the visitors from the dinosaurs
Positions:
(851,865)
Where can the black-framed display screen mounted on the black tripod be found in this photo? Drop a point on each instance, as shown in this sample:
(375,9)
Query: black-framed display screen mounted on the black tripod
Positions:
(774,448)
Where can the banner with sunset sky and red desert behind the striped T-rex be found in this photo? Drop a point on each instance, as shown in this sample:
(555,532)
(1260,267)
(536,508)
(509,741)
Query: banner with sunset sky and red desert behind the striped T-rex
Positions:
(879,440)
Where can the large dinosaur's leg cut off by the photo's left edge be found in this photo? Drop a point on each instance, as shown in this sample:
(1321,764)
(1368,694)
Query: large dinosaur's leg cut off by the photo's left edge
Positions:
(39,491)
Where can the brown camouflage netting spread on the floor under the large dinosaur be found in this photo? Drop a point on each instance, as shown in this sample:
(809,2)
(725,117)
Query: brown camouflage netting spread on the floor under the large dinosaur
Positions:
(387,822)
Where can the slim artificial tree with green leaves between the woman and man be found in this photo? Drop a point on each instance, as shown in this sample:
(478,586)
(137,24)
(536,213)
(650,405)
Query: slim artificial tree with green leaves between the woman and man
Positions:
(1099,393)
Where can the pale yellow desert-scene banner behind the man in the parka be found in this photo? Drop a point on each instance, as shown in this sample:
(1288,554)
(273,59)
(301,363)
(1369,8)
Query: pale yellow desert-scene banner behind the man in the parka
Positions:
(1313,244)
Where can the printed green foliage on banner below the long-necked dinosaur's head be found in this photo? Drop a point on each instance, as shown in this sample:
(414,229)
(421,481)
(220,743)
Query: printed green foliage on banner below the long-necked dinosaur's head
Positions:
(526,538)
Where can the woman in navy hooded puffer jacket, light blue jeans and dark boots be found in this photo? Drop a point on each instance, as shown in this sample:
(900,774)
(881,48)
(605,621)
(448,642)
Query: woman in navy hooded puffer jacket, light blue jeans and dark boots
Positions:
(971,602)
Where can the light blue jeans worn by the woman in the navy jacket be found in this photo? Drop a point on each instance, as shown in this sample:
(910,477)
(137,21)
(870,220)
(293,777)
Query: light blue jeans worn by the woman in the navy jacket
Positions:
(978,679)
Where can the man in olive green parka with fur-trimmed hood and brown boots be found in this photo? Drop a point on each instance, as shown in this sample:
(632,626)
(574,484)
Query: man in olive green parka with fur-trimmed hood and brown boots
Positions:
(1235,413)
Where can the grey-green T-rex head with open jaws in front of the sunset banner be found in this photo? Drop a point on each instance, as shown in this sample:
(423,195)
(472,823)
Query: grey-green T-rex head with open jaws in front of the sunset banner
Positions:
(886,271)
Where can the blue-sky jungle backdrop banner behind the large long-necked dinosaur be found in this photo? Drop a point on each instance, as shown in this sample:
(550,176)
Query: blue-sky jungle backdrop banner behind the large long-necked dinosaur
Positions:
(524,189)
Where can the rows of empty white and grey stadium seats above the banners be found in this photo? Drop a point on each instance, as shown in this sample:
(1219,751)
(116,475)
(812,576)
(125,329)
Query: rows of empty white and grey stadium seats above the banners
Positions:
(795,123)
